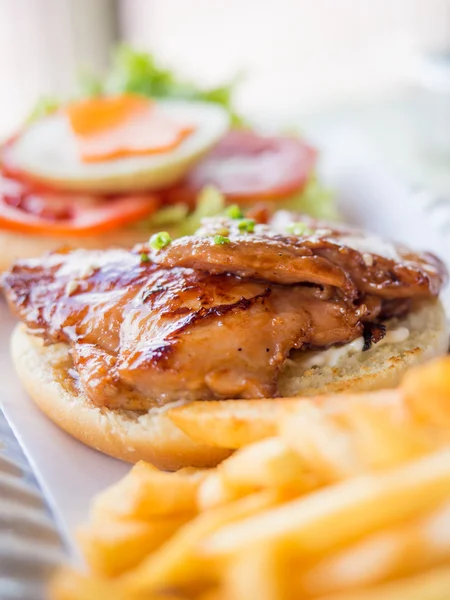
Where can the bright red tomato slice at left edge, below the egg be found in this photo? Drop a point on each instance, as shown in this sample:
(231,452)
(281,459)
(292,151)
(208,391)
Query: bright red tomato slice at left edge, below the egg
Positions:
(24,210)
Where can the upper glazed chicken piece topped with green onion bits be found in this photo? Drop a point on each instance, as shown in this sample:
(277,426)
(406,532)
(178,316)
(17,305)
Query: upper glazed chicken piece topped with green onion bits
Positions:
(294,249)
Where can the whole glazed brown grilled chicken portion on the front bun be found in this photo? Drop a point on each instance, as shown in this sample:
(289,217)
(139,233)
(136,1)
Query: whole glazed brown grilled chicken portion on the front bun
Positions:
(214,315)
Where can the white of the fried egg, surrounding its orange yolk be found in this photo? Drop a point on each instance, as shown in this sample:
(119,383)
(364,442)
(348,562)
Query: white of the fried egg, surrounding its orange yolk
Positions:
(47,151)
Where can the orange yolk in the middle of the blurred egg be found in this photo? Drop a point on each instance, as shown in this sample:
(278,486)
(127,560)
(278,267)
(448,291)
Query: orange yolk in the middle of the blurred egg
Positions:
(120,126)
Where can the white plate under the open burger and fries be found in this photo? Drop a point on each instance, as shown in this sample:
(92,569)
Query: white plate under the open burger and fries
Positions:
(71,473)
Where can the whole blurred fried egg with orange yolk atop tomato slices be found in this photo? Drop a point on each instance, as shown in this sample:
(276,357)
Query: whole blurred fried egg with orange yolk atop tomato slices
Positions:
(94,151)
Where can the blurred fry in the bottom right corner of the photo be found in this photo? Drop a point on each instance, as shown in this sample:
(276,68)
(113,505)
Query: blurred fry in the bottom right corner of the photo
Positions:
(430,585)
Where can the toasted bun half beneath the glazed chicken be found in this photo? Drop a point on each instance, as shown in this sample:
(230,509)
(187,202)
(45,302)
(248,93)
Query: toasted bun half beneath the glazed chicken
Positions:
(153,437)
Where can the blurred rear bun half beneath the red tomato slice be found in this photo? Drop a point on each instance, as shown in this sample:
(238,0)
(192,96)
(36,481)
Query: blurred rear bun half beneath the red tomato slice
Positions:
(16,246)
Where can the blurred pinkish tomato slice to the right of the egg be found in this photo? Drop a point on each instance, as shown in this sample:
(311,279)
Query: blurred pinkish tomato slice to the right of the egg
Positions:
(246,166)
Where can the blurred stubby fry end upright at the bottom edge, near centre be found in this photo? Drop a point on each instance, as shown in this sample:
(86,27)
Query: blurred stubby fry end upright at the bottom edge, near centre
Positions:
(260,574)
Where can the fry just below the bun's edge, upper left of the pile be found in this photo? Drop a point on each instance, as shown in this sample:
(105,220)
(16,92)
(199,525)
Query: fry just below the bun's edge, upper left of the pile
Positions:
(146,493)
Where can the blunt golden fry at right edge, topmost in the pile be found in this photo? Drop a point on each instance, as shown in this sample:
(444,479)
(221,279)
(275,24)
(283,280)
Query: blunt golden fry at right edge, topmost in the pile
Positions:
(426,390)
